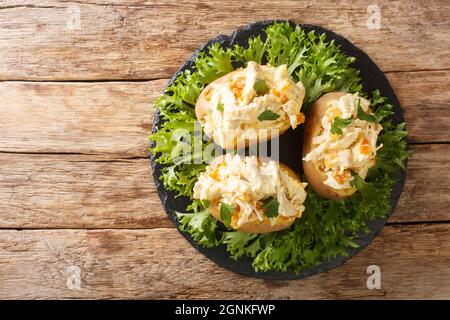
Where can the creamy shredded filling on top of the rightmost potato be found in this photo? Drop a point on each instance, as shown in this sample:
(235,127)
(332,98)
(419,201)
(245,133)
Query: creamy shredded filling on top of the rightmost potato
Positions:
(355,150)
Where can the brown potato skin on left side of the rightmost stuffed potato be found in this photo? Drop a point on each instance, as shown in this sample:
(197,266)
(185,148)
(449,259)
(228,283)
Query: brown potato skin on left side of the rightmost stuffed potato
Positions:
(312,128)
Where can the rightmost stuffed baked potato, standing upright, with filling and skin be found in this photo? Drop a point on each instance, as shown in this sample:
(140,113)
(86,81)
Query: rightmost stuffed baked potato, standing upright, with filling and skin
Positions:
(339,141)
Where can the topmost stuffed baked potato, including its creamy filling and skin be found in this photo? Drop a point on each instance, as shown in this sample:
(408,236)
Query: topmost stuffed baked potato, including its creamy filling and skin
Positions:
(250,105)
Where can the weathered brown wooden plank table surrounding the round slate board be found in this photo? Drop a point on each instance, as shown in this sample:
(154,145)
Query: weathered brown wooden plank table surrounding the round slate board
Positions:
(79,213)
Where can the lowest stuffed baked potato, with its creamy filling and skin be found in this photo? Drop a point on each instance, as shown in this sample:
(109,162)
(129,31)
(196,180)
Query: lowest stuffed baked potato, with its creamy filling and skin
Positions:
(265,195)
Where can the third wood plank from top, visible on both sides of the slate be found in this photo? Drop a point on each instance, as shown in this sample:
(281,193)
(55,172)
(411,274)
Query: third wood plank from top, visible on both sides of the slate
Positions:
(63,191)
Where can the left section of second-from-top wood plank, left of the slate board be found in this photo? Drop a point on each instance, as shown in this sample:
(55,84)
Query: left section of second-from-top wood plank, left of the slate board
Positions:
(90,118)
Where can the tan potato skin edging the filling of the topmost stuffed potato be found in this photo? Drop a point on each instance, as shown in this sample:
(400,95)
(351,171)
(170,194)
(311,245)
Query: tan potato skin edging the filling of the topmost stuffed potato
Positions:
(202,106)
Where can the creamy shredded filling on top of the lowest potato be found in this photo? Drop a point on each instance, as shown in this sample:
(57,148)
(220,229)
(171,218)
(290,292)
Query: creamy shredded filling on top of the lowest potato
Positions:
(244,182)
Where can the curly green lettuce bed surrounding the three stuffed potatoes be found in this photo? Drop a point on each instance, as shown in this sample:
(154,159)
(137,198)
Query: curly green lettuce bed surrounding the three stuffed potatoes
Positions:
(328,227)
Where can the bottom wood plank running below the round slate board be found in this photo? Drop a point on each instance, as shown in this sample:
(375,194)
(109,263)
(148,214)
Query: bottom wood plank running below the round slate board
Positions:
(144,264)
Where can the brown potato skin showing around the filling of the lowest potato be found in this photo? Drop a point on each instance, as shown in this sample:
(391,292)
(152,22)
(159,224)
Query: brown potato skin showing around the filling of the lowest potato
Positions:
(255,225)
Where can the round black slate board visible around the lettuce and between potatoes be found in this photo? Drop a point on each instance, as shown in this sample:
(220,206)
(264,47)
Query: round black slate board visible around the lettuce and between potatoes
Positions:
(290,151)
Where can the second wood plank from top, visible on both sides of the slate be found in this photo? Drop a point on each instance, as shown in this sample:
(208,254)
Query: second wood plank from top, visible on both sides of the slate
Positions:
(115,117)
